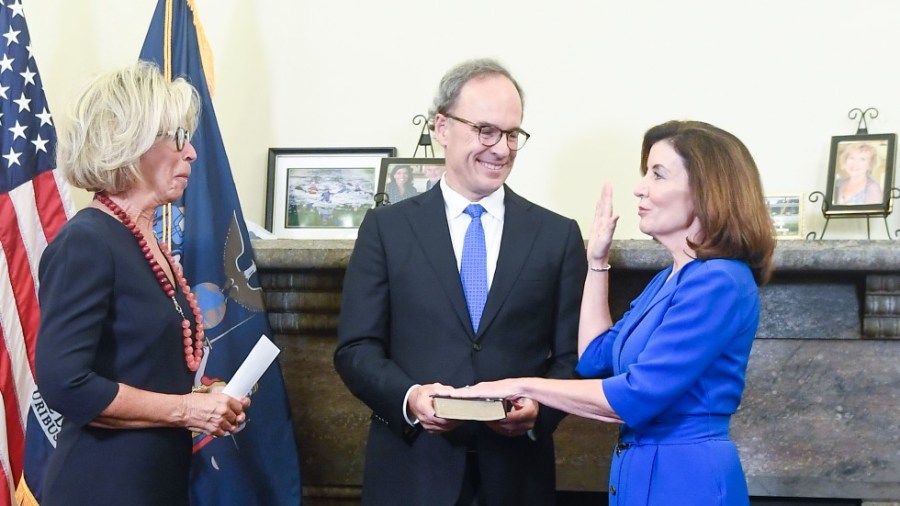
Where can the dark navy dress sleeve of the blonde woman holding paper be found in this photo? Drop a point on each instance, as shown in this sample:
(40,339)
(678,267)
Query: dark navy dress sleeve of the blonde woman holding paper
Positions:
(75,293)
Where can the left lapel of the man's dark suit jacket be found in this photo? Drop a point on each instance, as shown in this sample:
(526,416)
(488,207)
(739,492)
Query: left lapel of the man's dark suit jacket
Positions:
(428,220)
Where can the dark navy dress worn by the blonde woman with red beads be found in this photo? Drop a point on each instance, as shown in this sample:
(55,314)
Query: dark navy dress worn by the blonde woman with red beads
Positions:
(105,320)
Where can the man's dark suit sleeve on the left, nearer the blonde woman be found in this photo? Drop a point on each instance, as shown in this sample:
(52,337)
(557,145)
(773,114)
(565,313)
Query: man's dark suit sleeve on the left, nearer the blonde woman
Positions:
(361,358)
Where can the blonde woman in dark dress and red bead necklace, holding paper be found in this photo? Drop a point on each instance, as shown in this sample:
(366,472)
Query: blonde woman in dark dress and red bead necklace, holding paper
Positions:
(121,335)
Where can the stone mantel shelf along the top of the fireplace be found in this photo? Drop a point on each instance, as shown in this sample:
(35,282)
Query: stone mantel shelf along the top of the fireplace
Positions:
(865,256)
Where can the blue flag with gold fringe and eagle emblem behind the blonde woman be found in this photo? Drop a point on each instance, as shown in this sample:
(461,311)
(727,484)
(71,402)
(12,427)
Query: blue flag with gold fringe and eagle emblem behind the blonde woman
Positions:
(258,465)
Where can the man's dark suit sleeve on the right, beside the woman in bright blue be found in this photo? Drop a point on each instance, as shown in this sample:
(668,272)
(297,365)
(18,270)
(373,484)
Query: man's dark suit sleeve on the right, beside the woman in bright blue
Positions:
(573,269)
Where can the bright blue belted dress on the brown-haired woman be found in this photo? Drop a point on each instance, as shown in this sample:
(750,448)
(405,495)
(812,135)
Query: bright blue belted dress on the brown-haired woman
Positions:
(674,369)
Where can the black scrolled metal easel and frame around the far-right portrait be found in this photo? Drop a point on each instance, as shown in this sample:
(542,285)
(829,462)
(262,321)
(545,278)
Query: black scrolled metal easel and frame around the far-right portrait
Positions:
(829,208)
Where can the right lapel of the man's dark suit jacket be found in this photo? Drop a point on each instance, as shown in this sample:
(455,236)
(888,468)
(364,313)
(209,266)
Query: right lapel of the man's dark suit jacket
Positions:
(520,227)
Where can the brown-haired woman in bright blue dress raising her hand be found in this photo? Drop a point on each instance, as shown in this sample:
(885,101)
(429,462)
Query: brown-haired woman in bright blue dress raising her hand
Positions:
(672,370)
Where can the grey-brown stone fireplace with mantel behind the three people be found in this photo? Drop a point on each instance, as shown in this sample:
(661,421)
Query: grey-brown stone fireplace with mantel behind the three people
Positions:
(820,393)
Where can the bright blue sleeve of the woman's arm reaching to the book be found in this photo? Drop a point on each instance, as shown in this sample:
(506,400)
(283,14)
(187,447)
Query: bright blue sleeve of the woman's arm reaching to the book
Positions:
(703,318)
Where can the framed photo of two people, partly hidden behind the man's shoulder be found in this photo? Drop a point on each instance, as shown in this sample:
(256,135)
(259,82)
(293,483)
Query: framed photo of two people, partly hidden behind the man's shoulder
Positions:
(402,178)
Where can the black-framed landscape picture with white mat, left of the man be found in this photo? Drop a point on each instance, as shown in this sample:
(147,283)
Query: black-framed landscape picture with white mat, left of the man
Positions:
(321,193)
